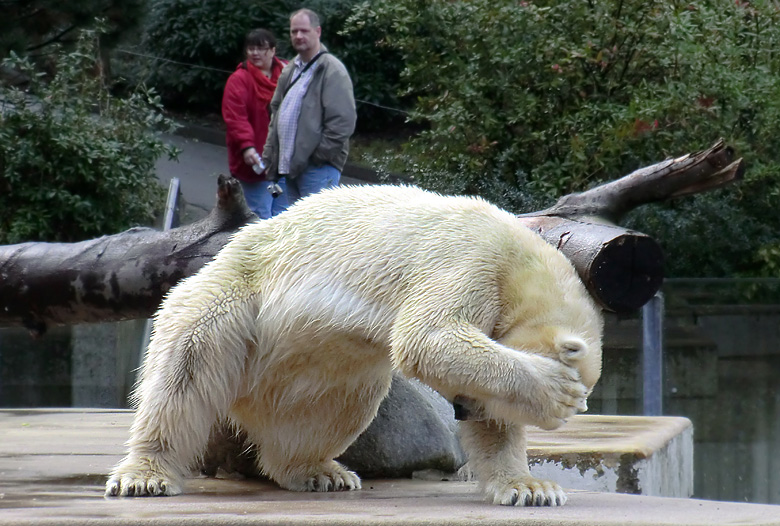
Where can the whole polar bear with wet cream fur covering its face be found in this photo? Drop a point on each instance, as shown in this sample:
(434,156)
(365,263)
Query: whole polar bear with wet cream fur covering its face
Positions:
(294,330)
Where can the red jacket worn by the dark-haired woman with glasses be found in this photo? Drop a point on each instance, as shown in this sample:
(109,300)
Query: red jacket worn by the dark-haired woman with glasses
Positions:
(246,119)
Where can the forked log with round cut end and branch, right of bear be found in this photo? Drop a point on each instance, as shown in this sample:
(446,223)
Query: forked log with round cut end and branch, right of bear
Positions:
(621,268)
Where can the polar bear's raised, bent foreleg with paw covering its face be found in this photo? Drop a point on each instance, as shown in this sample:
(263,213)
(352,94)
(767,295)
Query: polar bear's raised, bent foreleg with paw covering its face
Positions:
(514,386)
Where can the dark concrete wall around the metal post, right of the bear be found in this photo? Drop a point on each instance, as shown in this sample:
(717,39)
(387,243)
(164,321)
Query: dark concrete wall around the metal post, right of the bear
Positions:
(722,366)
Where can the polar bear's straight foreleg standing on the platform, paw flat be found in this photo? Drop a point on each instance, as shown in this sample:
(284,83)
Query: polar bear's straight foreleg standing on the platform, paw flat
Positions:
(497,456)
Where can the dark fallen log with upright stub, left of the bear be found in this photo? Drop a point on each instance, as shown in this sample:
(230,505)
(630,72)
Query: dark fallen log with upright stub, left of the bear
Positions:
(111,278)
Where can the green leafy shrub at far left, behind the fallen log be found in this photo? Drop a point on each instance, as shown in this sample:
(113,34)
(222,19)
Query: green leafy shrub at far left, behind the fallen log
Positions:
(76,162)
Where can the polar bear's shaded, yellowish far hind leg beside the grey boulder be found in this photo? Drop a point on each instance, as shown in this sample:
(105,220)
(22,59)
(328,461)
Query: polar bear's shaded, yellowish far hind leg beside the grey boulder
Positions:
(314,417)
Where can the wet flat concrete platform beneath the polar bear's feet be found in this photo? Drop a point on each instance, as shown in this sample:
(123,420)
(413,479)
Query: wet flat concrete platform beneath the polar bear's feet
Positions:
(53,465)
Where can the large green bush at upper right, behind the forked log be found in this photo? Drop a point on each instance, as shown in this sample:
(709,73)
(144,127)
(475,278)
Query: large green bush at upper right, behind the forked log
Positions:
(545,97)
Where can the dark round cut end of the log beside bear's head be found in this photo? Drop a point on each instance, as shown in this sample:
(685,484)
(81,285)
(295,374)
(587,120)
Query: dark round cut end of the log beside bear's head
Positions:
(626,273)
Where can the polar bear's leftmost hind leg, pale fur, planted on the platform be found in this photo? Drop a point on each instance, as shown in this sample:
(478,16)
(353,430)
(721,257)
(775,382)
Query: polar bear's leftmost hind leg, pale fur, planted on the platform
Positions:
(190,377)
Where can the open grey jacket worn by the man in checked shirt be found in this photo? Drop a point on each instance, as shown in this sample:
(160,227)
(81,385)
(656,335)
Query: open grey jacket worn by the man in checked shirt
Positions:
(325,124)
